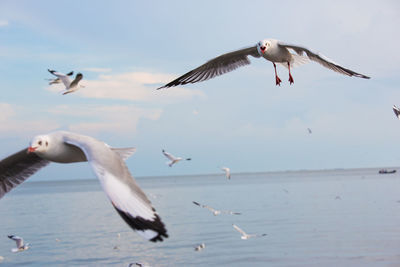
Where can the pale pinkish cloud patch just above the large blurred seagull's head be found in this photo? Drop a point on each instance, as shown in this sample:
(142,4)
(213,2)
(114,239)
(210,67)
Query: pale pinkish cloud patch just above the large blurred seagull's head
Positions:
(118,119)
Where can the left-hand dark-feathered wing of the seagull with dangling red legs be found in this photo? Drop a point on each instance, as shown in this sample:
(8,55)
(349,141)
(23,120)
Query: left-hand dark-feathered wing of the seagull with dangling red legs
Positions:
(217,66)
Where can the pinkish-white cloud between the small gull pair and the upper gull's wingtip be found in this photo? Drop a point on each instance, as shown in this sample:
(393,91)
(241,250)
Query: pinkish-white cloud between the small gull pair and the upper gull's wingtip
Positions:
(134,86)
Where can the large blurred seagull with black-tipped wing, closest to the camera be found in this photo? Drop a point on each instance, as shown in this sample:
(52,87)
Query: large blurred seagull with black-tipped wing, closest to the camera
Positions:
(108,165)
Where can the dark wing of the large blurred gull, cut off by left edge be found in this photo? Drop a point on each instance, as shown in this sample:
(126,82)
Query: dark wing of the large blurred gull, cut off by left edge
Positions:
(17,168)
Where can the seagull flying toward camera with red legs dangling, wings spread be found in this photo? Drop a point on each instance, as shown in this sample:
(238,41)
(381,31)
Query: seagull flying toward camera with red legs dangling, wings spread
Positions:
(270,49)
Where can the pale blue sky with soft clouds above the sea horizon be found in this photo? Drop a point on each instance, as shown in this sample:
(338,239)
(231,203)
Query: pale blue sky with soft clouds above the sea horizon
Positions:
(126,49)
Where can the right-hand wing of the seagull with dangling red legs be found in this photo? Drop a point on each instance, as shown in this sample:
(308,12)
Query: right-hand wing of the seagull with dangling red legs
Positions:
(321,59)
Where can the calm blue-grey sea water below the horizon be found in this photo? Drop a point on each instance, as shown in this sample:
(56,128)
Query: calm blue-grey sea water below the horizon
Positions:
(311,218)
